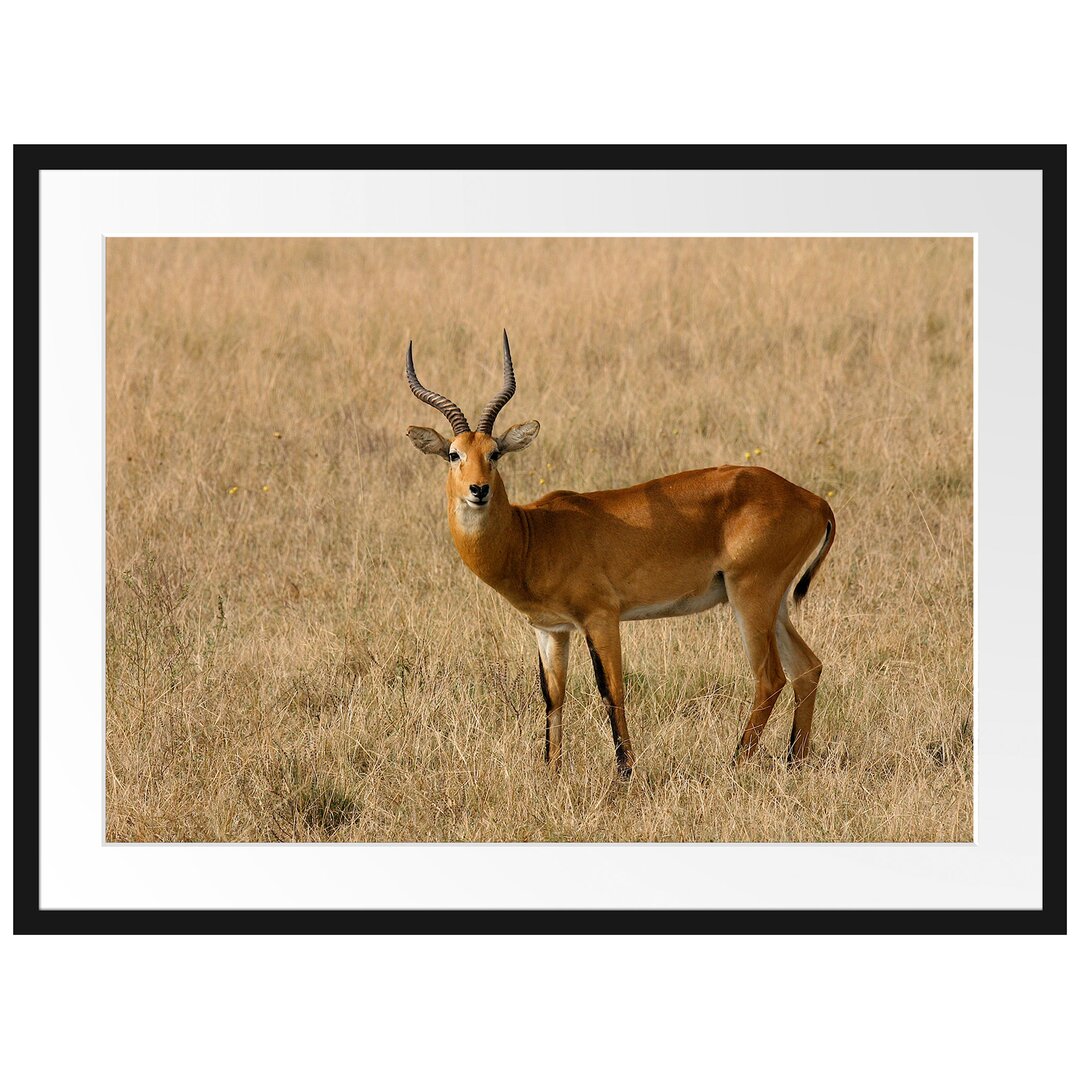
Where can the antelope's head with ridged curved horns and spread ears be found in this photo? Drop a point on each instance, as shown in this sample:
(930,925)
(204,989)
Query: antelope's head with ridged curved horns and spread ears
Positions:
(474,484)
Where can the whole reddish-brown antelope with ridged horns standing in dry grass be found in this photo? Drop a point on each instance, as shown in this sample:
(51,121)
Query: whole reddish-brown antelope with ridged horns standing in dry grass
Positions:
(670,547)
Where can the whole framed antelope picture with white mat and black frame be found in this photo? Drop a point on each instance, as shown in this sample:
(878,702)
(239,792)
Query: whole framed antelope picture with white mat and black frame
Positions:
(274,697)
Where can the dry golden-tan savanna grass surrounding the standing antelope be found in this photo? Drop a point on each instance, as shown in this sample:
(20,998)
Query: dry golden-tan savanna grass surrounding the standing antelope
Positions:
(294,651)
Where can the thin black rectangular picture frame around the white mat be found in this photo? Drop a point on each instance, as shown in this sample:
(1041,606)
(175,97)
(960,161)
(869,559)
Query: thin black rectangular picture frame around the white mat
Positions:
(31,160)
